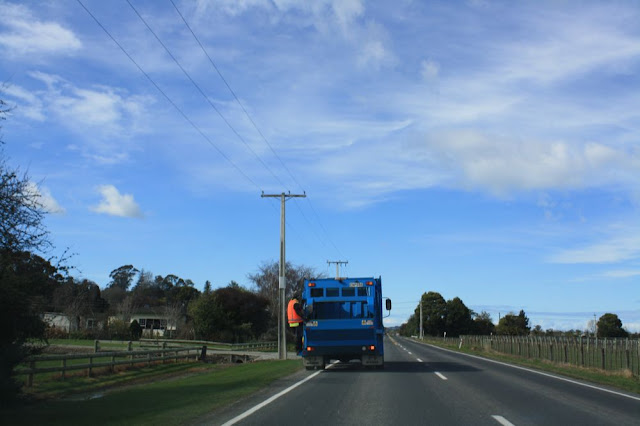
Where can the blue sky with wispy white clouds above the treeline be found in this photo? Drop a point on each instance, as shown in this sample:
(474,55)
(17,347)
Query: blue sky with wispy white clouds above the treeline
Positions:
(484,150)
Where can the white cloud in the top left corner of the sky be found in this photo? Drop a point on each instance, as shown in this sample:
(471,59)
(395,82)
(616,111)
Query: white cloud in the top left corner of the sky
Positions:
(26,35)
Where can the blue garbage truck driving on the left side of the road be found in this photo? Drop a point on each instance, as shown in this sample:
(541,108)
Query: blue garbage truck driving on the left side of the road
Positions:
(343,321)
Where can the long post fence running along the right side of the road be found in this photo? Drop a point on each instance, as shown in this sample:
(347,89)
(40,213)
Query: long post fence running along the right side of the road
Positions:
(604,354)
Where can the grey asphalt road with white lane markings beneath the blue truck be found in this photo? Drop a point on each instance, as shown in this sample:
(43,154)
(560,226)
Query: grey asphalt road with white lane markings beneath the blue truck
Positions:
(422,385)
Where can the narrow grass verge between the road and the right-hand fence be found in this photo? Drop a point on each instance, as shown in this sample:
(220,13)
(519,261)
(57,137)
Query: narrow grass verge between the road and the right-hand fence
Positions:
(621,379)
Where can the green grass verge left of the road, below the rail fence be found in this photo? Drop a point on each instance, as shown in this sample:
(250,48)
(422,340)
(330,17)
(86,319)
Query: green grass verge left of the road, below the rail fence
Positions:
(162,398)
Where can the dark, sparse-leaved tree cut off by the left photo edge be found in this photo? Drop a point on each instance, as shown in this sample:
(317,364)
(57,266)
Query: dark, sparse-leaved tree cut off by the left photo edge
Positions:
(26,279)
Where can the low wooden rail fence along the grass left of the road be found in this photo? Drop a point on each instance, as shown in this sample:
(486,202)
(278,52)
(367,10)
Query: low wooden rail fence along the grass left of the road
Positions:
(89,362)
